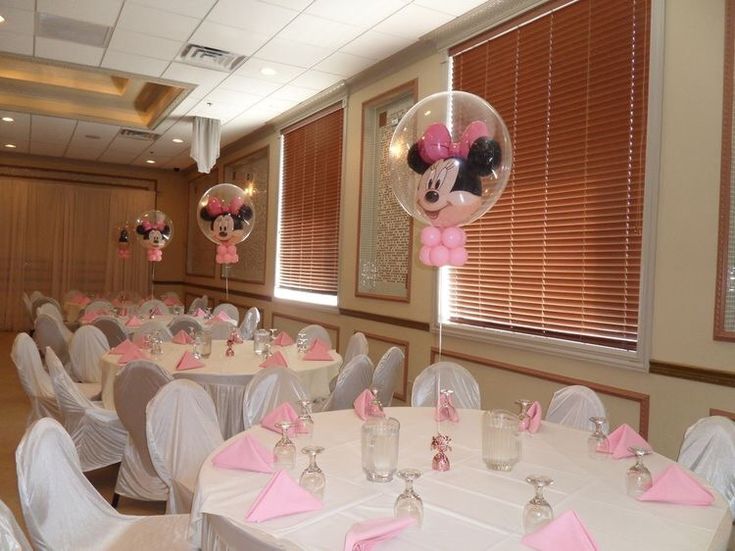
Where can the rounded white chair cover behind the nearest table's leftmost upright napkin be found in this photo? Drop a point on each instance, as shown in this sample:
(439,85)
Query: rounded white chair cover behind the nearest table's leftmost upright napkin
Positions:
(269,388)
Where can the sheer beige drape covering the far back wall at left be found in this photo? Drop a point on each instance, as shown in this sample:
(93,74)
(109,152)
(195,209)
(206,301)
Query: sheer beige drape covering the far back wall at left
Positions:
(56,236)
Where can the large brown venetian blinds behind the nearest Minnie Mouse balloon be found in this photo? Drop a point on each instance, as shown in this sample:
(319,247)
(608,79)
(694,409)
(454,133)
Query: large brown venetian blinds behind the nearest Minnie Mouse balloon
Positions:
(560,253)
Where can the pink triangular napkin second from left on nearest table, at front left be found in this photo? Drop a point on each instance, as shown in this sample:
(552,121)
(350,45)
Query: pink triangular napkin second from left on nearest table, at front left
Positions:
(281,496)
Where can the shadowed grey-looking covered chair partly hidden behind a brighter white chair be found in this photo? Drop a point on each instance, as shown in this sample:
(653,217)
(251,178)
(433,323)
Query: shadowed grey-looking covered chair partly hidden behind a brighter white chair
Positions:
(135,385)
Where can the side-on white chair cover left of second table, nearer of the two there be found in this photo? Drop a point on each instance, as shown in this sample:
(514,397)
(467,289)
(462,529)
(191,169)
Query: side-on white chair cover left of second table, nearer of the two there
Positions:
(98,435)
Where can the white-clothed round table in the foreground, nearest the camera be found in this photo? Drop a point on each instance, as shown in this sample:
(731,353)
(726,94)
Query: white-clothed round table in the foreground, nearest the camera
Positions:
(468,507)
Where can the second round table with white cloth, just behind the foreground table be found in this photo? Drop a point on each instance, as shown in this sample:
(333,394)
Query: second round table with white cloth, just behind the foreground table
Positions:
(225,378)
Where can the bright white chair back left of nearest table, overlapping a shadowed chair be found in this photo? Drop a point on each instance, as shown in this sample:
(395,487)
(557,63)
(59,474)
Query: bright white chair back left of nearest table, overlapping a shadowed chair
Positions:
(181,429)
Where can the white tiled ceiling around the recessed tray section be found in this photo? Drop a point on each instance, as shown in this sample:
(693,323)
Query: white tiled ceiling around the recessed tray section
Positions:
(310,44)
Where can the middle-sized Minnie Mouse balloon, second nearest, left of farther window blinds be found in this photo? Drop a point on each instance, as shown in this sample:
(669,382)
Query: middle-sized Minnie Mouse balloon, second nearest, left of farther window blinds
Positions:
(226,217)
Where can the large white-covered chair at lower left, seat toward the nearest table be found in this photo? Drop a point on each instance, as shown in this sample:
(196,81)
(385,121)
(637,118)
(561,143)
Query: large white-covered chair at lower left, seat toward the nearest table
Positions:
(64,512)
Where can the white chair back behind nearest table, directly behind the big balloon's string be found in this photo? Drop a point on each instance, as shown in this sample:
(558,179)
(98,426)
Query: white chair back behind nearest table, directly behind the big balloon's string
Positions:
(450,376)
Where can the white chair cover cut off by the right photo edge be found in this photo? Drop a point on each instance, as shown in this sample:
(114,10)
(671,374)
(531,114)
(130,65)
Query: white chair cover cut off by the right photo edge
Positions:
(709,450)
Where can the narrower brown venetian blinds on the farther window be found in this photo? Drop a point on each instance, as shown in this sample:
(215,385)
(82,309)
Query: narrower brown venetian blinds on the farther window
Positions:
(309,226)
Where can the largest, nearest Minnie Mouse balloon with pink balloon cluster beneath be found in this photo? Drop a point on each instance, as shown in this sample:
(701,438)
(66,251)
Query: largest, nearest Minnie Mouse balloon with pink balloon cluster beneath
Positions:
(450,157)
